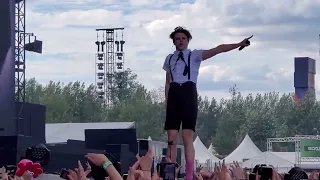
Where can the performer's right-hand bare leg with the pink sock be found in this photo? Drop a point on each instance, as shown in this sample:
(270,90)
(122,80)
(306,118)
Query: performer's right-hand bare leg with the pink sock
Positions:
(187,136)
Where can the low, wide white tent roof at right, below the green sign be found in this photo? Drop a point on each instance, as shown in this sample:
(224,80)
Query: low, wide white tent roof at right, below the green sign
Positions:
(269,158)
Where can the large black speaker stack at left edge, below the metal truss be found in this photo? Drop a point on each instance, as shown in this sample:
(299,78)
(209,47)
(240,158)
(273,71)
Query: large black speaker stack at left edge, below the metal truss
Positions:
(30,131)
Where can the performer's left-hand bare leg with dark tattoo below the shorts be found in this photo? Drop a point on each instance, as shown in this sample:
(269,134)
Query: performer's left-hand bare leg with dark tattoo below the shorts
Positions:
(172,144)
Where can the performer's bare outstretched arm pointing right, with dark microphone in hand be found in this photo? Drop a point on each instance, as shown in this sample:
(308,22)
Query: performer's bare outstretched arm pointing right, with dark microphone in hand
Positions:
(207,54)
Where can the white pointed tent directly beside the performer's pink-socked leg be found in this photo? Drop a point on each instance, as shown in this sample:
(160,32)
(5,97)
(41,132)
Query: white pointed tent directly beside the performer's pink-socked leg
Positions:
(201,152)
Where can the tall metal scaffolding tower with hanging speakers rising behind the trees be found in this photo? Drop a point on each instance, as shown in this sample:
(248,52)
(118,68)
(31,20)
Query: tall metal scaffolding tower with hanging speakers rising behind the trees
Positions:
(108,61)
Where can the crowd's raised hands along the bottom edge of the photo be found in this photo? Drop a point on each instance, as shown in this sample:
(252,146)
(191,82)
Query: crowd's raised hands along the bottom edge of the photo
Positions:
(141,170)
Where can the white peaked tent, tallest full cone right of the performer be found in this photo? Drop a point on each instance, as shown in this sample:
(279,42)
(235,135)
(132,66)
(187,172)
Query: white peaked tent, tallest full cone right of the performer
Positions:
(246,150)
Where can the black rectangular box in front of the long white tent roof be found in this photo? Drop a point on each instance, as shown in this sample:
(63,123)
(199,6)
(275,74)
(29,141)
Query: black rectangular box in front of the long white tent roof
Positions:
(99,138)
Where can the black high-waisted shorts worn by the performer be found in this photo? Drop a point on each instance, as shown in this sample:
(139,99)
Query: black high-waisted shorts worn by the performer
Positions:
(182,106)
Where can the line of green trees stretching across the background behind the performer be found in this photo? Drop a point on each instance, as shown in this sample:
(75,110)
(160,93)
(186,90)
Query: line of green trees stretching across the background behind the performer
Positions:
(222,122)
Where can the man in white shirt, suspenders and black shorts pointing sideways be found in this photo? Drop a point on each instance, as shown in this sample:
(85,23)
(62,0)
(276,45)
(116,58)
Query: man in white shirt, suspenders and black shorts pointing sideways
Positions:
(182,69)
